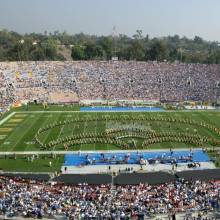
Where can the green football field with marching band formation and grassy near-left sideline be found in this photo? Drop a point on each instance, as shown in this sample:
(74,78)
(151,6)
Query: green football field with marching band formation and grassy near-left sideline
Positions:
(62,128)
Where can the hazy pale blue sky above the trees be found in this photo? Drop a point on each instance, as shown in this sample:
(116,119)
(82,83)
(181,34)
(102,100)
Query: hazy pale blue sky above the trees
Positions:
(154,17)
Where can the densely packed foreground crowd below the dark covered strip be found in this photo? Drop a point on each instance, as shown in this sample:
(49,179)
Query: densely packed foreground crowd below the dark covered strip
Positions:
(38,199)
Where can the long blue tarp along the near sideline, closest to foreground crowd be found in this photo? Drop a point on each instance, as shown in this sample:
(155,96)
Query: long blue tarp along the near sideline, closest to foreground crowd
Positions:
(78,159)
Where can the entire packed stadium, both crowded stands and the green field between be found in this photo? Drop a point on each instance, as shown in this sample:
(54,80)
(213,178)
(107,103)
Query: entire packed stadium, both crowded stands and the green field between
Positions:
(87,135)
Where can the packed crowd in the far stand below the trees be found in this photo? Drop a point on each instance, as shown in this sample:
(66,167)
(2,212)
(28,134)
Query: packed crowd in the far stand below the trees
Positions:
(89,80)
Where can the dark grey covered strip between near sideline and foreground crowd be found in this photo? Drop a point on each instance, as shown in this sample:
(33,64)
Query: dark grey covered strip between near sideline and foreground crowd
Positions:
(152,178)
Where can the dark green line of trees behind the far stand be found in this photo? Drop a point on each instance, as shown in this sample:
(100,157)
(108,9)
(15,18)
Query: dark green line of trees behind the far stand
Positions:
(56,46)
